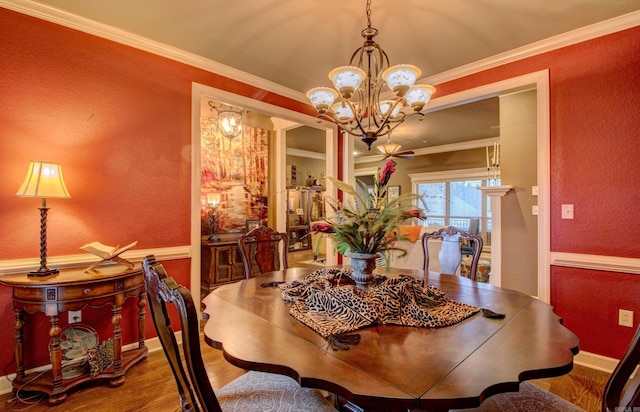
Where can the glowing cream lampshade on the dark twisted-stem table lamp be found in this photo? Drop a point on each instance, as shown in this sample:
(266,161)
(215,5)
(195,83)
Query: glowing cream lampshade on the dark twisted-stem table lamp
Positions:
(44,180)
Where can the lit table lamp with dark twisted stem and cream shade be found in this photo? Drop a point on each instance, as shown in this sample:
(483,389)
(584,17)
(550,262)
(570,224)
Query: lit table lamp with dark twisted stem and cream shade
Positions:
(44,180)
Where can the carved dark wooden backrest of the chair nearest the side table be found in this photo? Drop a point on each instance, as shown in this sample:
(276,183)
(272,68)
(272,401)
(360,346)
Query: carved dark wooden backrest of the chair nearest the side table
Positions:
(194,388)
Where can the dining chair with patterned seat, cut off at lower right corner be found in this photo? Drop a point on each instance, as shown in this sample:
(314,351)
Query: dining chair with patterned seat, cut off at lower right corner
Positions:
(620,393)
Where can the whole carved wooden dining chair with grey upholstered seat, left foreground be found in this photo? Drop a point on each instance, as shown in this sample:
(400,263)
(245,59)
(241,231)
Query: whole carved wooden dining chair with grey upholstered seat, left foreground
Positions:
(253,391)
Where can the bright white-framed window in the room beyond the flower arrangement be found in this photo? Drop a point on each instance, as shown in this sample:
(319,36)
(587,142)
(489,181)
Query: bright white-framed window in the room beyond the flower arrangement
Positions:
(453,199)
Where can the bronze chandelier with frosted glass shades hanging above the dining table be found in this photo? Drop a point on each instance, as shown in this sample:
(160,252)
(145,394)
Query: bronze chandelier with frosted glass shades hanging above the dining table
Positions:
(360,110)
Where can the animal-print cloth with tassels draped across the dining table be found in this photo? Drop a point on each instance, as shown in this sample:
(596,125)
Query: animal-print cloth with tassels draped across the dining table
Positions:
(331,305)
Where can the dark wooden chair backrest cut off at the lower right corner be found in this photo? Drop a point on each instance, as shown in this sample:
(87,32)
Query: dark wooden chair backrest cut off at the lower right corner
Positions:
(616,397)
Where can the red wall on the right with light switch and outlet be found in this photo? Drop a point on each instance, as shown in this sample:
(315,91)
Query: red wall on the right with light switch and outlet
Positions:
(595,118)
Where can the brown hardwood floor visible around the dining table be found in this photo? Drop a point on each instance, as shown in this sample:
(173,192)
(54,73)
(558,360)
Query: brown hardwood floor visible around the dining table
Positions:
(150,386)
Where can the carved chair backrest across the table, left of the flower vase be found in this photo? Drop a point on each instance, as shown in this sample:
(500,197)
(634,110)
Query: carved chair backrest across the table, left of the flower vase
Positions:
(260,250)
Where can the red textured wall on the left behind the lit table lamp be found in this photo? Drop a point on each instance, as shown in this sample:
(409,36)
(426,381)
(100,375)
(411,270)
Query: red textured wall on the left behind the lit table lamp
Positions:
(119,121)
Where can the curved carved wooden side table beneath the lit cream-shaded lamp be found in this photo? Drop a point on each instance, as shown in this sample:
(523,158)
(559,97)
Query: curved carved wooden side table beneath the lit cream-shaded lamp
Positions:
(73,289)
